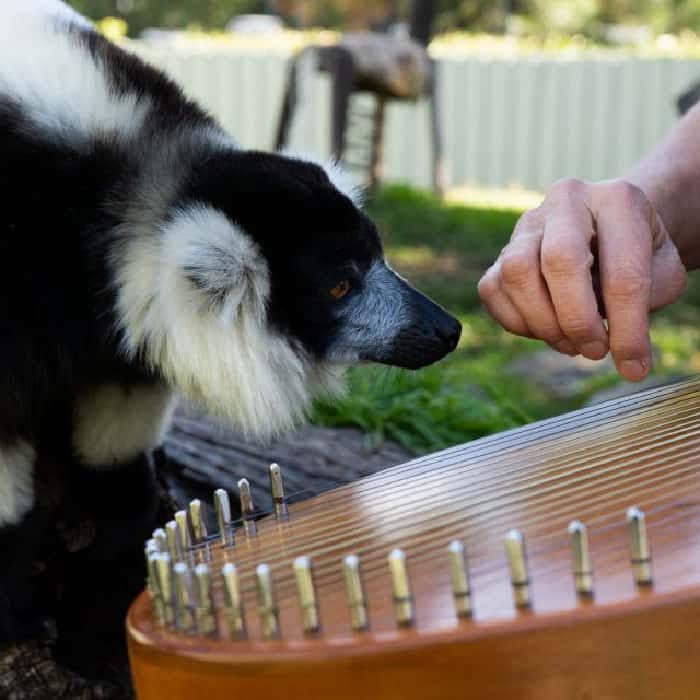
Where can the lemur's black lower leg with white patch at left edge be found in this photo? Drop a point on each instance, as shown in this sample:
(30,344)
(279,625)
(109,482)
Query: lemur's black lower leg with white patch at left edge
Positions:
(21,530)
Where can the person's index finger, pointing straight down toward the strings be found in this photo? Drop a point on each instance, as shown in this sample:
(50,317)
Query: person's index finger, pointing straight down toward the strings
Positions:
(625,258)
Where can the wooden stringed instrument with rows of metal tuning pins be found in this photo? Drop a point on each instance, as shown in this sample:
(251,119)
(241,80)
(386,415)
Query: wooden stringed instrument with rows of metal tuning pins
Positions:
(560,560)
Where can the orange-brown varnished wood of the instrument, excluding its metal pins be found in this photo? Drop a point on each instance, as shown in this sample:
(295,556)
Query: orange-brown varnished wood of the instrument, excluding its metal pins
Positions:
(591,465)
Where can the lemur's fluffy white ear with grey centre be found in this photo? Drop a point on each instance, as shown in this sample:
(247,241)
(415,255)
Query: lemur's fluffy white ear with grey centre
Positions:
(222,266)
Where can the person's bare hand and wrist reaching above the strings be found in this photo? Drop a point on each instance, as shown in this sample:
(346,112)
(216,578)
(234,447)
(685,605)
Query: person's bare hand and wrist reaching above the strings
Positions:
(619,246)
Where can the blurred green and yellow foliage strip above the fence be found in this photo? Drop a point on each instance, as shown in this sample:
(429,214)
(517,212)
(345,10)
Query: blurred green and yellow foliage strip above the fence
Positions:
(587,17)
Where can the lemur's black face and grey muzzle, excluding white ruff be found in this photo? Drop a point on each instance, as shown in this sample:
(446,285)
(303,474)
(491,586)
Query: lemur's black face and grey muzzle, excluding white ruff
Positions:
(330,288)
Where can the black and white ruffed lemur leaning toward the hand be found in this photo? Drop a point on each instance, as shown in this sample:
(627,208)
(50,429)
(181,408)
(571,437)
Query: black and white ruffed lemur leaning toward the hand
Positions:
(143,253)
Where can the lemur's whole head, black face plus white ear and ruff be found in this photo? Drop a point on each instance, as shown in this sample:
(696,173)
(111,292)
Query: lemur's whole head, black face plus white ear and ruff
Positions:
(271,281)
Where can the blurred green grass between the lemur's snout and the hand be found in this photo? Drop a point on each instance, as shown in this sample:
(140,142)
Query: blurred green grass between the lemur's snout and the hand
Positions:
(443,249)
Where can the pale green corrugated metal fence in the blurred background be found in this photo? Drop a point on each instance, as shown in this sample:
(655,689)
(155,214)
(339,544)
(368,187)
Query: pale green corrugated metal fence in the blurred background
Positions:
(507,121)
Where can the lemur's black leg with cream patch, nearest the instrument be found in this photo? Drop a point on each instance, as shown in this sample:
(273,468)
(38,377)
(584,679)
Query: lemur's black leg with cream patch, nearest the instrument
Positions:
(113,485)
